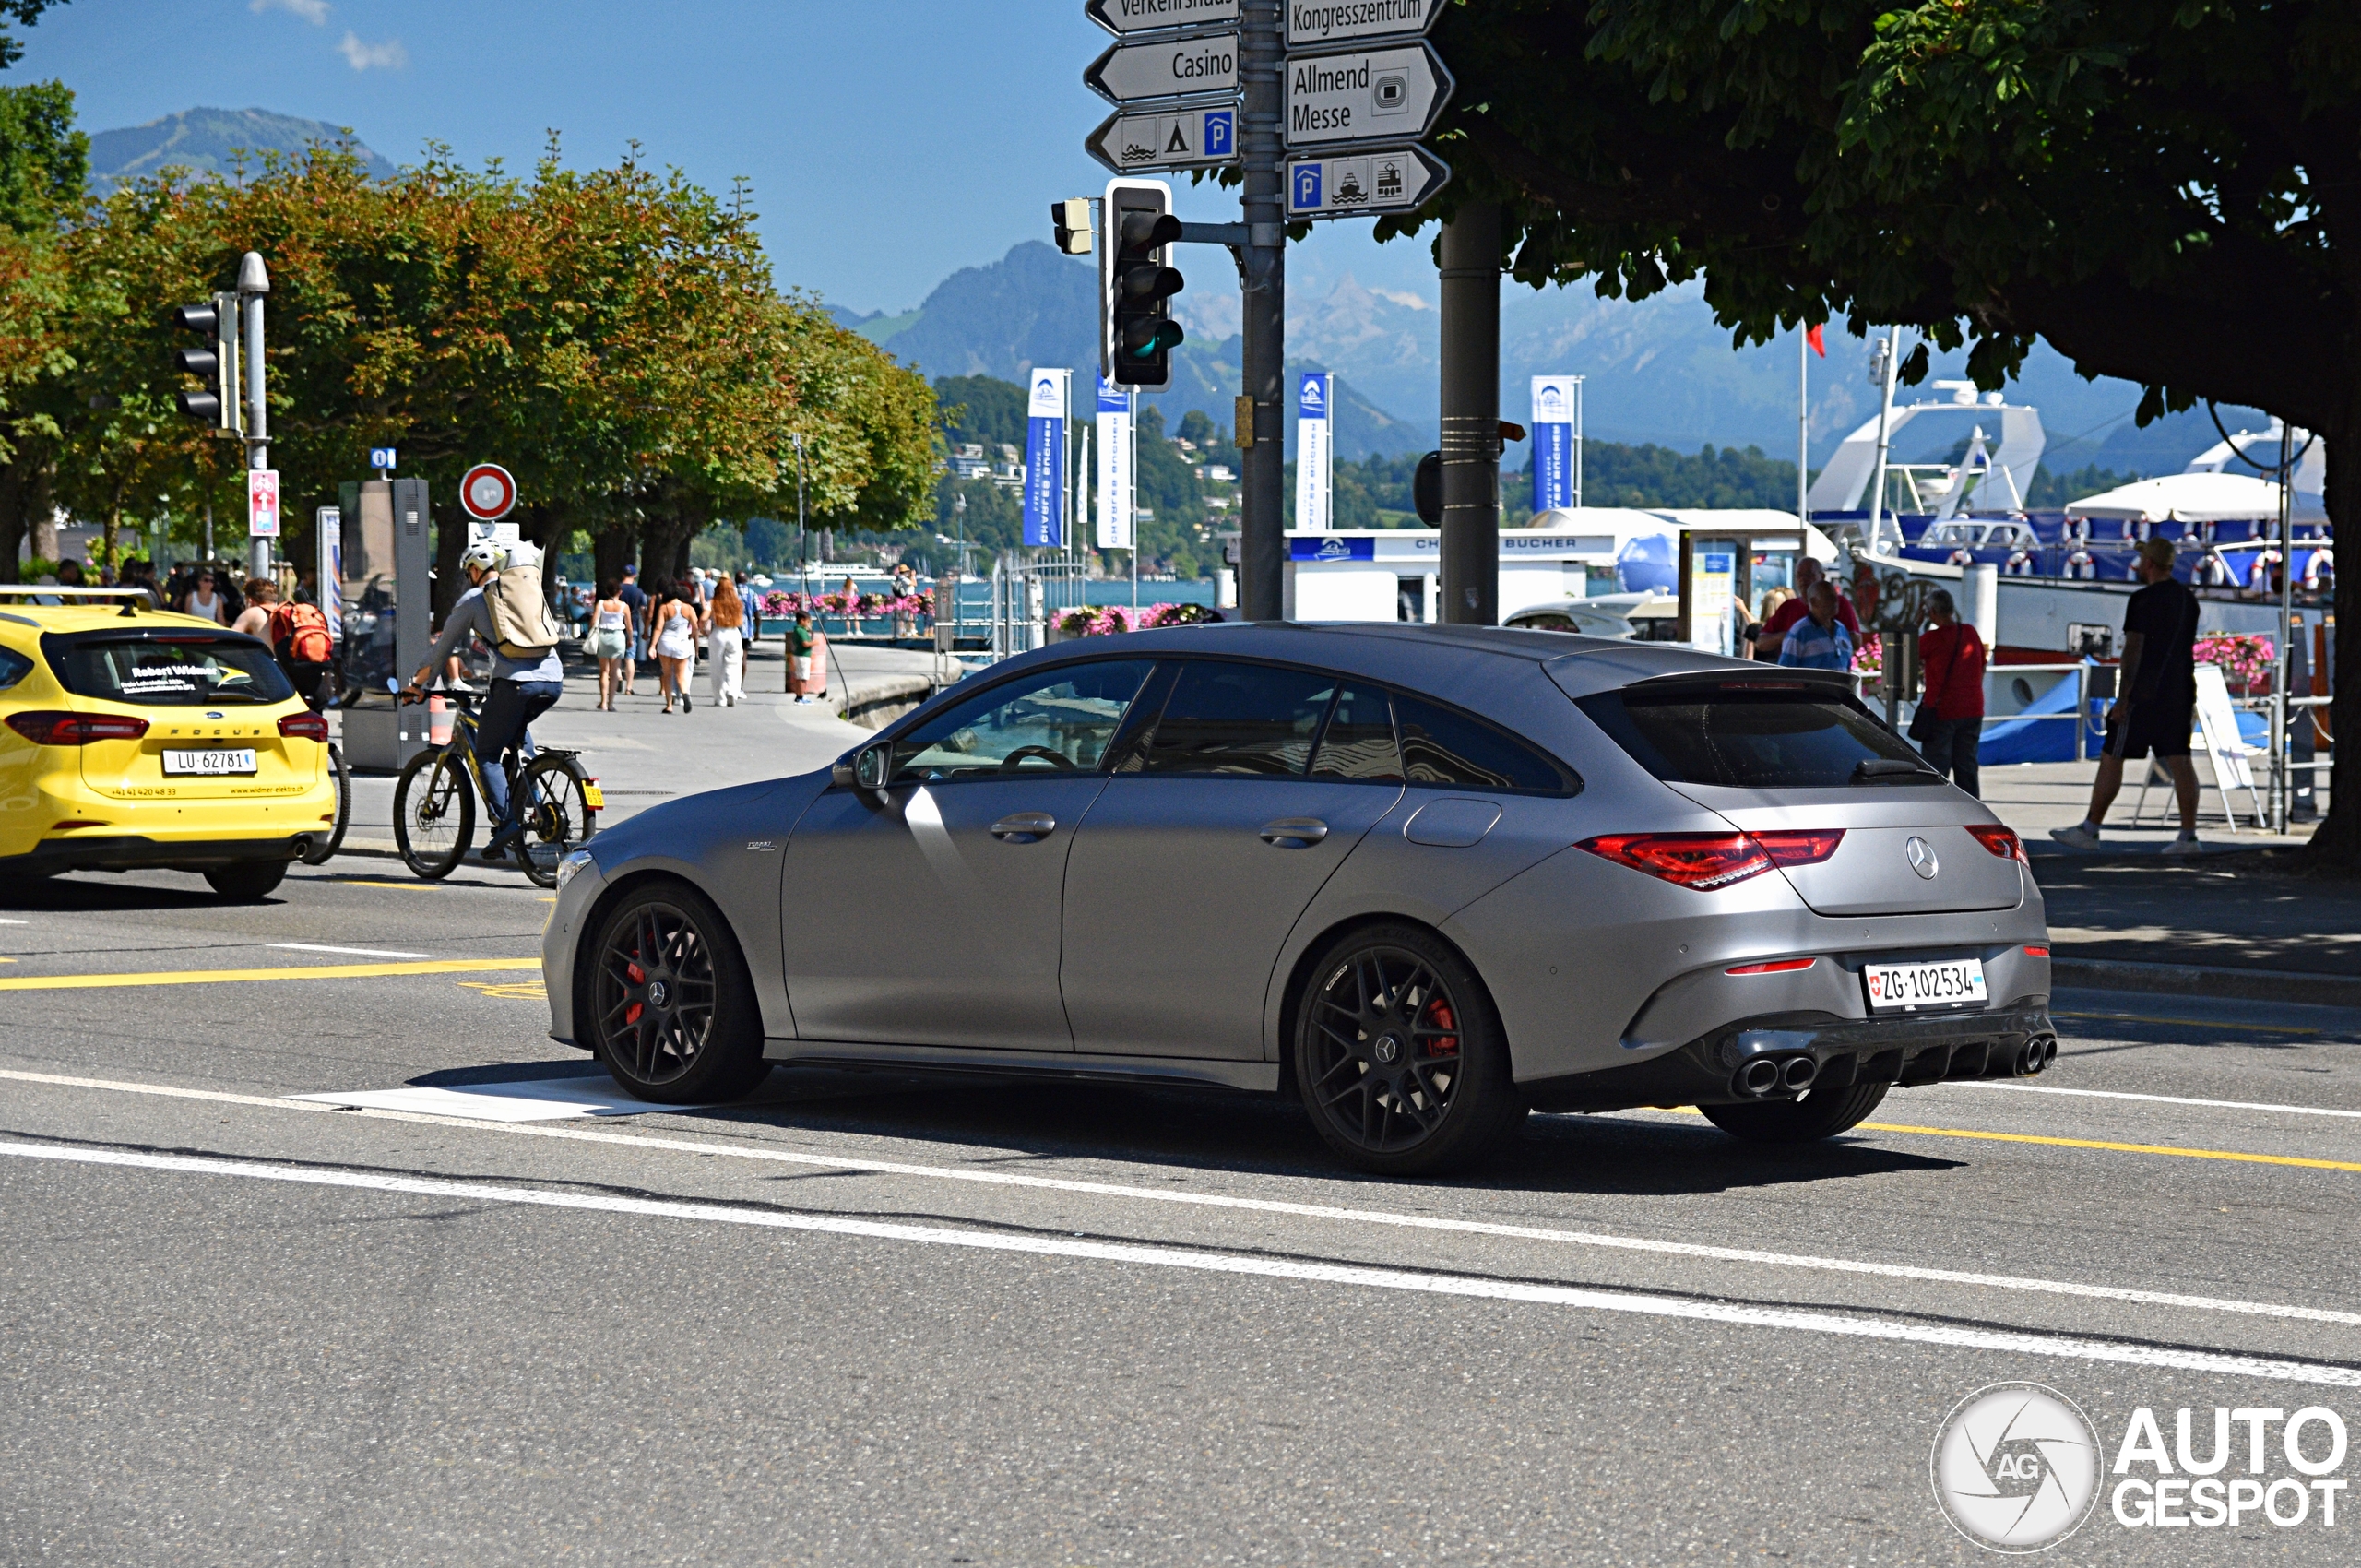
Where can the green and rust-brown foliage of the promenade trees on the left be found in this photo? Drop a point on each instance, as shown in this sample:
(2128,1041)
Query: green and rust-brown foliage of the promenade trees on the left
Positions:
(613,337)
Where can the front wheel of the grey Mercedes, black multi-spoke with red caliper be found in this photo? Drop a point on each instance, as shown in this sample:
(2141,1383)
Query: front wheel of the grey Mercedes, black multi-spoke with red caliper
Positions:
(672,1012)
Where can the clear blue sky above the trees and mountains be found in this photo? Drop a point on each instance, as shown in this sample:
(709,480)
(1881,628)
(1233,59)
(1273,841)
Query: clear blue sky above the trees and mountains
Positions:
(889,141)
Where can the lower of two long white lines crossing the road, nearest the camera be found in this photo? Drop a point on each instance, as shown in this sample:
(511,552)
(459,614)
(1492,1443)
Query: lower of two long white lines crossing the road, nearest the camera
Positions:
(1269,1269)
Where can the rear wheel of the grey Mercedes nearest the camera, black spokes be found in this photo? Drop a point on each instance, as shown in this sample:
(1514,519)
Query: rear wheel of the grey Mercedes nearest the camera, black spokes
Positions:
(1401,1057)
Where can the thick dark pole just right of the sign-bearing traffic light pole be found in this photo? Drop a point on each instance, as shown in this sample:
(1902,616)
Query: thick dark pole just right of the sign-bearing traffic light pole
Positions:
(1470,254)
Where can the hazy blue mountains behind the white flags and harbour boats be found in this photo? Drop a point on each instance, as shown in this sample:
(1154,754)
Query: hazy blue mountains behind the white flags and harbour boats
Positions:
(1656,370)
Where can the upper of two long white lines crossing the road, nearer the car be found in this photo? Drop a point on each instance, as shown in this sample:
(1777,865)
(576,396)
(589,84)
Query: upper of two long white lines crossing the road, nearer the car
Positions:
(1264,1206)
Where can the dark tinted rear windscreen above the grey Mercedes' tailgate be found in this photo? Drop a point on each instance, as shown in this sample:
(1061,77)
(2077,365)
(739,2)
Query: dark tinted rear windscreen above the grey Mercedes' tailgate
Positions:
(1755,738)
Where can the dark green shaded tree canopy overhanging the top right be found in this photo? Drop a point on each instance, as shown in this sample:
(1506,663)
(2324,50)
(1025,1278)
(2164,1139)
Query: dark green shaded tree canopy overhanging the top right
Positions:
(2161,192)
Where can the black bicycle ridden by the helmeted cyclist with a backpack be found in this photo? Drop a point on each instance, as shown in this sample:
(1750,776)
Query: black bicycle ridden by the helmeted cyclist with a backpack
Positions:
(436,804)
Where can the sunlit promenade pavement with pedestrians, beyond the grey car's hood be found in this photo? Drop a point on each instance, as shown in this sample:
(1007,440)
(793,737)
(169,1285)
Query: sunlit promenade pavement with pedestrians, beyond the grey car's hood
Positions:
(641,757)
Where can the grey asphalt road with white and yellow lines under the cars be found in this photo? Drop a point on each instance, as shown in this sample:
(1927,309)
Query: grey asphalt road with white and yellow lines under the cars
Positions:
(891,1321)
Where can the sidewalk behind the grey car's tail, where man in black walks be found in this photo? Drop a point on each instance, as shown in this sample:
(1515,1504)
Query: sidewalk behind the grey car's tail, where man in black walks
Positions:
(2249,917)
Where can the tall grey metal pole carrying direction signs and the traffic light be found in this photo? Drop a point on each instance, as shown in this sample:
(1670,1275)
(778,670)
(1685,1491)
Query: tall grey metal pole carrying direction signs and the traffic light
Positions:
(1262,277)
